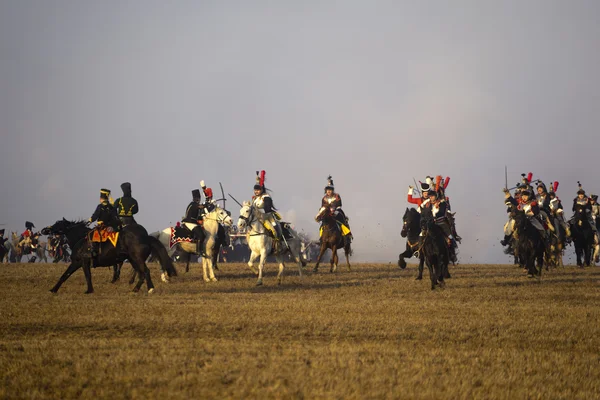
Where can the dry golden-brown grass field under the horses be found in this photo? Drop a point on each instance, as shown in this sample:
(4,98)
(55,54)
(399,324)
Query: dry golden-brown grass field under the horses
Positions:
(374,332)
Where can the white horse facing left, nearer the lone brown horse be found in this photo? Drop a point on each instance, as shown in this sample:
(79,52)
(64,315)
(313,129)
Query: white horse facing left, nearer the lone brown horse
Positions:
(261,243)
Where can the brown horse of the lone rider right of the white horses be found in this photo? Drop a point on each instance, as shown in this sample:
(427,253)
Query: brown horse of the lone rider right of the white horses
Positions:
(331,239)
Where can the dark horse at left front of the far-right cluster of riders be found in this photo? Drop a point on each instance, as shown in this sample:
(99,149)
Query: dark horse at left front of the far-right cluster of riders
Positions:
(529,243)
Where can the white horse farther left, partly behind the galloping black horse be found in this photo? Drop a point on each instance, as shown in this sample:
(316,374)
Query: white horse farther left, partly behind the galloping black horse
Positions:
(209,250)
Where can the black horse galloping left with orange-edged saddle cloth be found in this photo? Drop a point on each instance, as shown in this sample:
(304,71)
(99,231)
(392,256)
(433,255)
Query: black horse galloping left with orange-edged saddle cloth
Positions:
(133,244)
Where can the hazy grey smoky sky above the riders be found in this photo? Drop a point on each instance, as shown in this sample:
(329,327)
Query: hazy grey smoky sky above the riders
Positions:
(375,93)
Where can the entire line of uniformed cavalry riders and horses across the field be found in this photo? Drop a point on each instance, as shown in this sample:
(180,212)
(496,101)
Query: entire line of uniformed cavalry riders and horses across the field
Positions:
(536,233)
